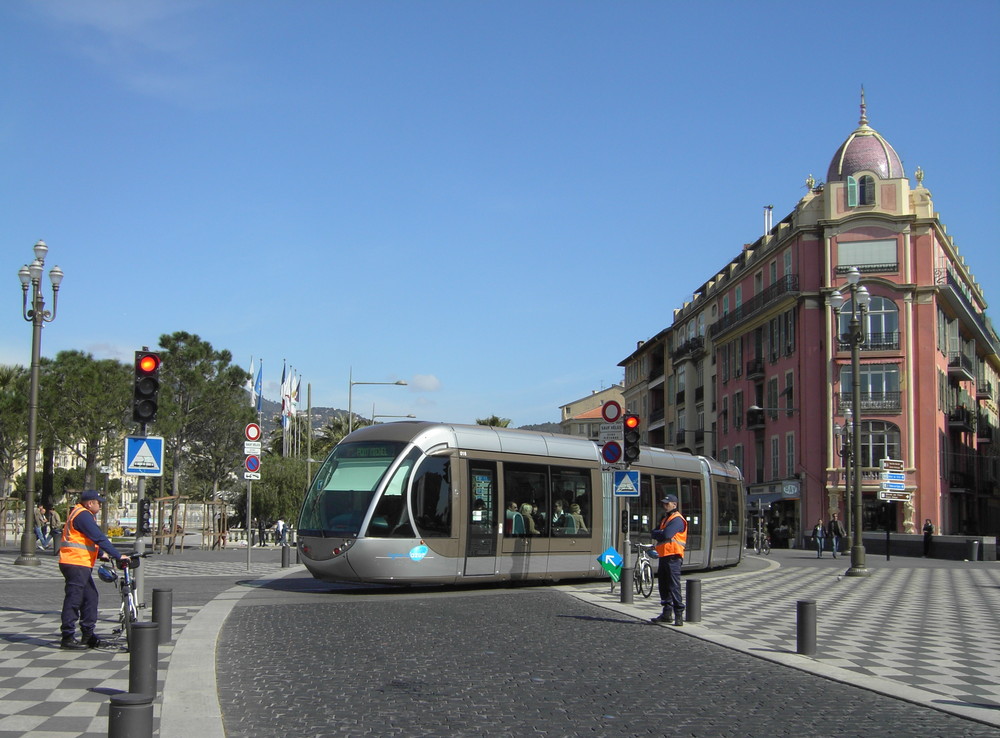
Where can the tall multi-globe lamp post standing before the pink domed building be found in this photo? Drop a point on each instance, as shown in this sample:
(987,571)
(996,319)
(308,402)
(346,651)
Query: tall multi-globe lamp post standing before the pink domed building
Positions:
(856,335)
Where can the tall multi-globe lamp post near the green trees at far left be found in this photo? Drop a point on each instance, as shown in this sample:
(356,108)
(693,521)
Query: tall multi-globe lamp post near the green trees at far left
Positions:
(35,313)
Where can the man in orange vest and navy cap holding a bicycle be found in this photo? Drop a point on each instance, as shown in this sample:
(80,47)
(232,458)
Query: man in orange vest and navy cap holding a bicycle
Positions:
(81,538)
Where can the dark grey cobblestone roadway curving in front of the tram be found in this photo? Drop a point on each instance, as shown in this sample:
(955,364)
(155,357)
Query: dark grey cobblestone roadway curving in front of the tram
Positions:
(511,662)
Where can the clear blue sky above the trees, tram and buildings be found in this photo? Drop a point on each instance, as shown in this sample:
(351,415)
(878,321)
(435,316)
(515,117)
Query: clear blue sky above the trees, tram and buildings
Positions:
(463,195)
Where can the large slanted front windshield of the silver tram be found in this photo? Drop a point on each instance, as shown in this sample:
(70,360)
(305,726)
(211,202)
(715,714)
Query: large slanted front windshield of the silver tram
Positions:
(344,486)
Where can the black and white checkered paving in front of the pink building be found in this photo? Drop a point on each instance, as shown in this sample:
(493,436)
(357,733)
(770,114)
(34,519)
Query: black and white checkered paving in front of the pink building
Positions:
(932,630)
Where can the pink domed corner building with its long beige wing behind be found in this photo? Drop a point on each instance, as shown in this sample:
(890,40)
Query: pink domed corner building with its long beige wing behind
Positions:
(756,368)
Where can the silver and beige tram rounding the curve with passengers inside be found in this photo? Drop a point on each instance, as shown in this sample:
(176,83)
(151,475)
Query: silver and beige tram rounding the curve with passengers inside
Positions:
(418,502)
